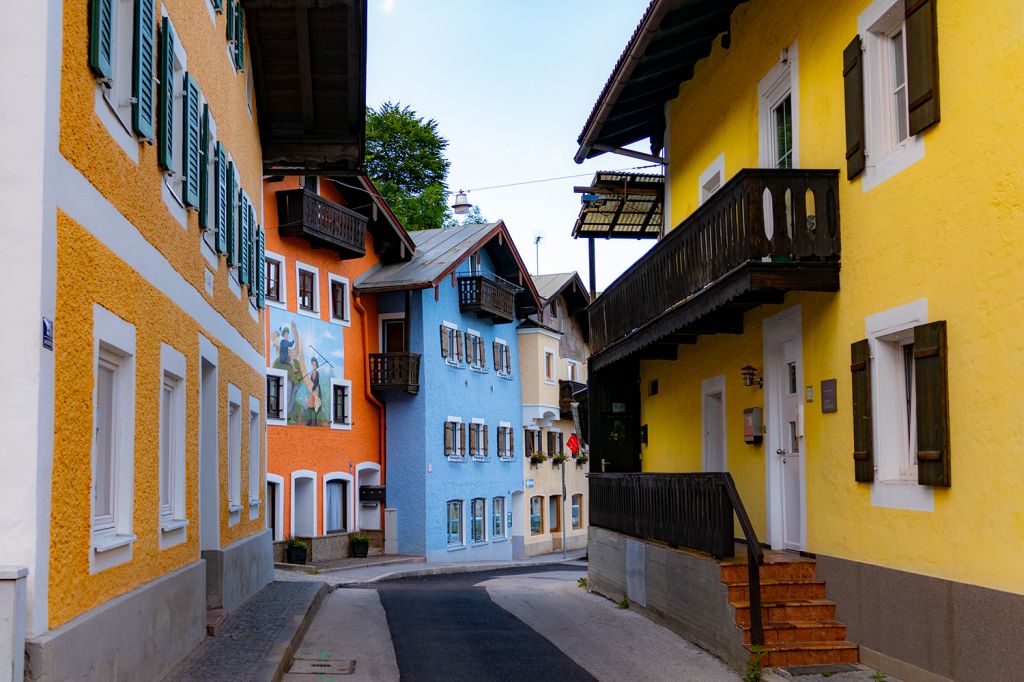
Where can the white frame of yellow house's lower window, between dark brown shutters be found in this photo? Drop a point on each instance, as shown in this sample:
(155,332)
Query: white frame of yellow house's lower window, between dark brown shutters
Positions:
(886,331)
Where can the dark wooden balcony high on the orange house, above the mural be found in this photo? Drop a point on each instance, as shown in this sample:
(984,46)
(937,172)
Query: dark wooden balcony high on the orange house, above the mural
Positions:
(326,225)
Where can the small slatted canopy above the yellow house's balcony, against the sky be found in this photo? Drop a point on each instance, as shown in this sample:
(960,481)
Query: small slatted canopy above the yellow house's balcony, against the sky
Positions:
(622,206)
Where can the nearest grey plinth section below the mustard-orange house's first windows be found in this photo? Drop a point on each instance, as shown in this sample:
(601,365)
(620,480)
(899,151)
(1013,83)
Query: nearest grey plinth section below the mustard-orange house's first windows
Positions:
(138,636)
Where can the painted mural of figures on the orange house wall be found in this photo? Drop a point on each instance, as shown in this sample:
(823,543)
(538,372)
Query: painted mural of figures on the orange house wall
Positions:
(312,352)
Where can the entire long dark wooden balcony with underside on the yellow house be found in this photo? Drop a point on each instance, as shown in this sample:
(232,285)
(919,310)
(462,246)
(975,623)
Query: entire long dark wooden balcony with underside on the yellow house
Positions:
(765,233)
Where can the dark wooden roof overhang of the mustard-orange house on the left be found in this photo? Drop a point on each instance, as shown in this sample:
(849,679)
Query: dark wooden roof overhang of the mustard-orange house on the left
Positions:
(310,73)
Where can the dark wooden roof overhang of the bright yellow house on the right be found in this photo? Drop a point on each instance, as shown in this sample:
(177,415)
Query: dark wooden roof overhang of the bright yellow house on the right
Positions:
(671,38)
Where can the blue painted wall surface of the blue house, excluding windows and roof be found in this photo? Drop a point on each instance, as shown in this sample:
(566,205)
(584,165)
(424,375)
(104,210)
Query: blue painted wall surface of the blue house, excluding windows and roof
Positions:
(421,479)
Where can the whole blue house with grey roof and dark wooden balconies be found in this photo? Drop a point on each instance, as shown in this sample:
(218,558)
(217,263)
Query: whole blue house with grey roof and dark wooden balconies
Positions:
(448,370)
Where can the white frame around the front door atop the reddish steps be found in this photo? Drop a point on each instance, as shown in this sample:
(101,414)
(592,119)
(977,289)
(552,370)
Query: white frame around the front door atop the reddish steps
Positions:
(779,329)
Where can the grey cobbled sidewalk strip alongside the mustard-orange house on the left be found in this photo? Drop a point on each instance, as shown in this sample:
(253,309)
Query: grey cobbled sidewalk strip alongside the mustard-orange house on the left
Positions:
(257,640)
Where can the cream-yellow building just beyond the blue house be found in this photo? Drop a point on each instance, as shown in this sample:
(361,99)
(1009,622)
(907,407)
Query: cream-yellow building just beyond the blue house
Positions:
(553,367)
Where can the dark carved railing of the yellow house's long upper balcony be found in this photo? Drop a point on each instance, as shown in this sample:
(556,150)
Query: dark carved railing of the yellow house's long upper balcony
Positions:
(771,220)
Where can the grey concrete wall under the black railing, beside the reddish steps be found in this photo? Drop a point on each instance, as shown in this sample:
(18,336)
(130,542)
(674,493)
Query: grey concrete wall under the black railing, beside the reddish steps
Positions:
(681,590)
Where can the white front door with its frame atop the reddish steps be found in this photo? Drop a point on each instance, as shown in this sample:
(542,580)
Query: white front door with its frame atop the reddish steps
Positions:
(784,381)
